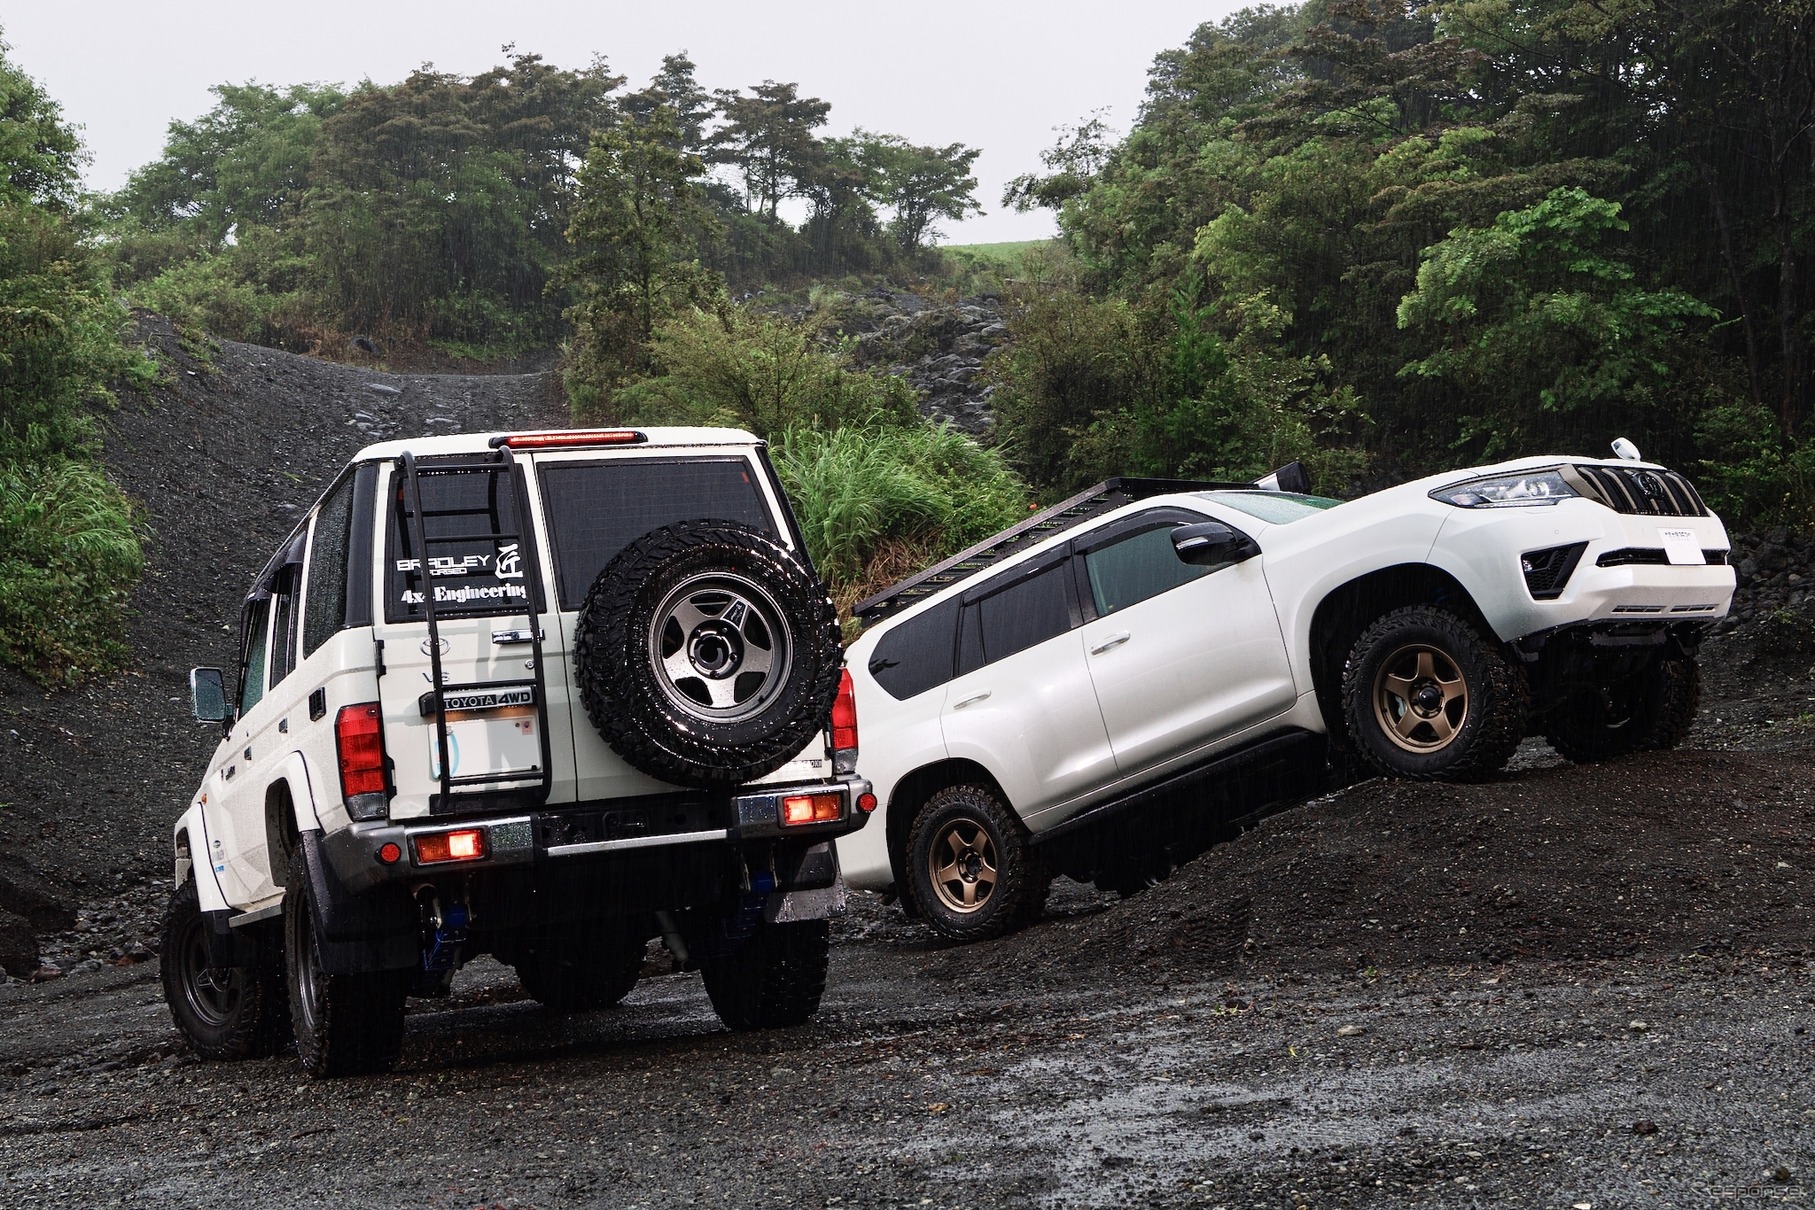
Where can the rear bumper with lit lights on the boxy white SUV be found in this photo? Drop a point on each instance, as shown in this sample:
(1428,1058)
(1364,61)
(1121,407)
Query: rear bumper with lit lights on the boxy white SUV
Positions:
(569,834)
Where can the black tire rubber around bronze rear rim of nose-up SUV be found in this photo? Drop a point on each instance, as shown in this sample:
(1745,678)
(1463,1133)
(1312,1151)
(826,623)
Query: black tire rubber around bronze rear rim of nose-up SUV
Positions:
(1023,883)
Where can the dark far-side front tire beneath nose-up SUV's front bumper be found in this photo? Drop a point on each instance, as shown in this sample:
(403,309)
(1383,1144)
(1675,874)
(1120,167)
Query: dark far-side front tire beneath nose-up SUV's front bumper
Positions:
(1651,712)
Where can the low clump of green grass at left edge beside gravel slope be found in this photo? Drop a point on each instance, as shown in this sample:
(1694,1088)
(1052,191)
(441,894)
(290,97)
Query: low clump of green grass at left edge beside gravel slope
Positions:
(70,556)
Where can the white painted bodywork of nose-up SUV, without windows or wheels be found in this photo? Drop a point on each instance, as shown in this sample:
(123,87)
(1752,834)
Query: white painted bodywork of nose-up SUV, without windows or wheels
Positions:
(1159,717)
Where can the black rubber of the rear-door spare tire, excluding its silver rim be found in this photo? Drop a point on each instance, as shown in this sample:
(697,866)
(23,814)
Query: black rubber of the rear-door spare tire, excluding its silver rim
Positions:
(620,687)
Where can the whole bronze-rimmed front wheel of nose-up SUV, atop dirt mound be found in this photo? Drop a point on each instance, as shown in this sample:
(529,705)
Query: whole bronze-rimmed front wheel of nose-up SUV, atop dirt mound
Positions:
(1429,698)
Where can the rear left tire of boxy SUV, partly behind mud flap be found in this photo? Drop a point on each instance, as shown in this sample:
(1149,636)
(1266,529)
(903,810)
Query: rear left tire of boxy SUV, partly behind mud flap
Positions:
(344,1024)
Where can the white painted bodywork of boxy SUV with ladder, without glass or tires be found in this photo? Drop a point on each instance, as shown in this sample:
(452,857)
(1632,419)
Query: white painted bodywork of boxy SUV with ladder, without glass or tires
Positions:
(228,825)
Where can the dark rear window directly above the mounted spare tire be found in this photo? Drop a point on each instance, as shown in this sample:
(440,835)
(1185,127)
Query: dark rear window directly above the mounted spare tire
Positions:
(600,509)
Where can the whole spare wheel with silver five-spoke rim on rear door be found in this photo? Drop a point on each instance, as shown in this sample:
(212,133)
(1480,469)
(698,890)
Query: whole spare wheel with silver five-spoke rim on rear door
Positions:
(707,654)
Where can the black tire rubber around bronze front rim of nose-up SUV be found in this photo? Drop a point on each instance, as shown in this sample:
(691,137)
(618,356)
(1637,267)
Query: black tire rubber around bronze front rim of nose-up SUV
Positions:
(1500,698)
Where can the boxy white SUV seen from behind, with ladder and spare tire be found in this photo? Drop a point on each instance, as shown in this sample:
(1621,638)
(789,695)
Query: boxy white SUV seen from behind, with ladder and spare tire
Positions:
(542,696)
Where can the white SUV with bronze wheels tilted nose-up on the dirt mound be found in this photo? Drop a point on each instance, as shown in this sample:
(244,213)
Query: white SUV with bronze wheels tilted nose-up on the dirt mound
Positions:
(1101,688)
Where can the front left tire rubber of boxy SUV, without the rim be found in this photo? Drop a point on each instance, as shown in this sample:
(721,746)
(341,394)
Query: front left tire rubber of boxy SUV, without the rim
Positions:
(260,1026)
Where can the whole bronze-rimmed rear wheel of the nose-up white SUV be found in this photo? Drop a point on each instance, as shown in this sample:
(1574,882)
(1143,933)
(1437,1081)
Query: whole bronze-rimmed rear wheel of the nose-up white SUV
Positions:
(972,868)
